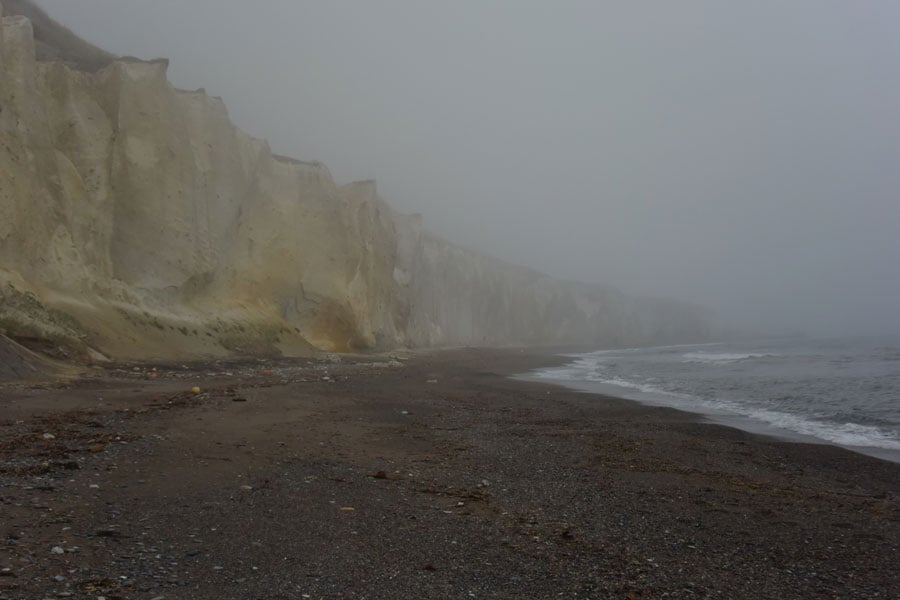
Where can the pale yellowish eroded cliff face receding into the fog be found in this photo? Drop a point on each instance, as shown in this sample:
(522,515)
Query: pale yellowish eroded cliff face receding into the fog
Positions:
(137,221)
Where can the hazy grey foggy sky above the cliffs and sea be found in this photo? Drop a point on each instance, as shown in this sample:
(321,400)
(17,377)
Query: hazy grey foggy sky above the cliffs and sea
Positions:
(742,155)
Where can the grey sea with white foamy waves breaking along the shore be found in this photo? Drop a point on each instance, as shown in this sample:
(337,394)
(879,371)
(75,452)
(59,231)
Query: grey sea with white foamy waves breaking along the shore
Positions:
(841,391)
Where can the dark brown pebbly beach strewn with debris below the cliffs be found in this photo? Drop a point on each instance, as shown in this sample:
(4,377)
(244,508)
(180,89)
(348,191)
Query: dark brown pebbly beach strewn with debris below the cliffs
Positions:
(432,477)
